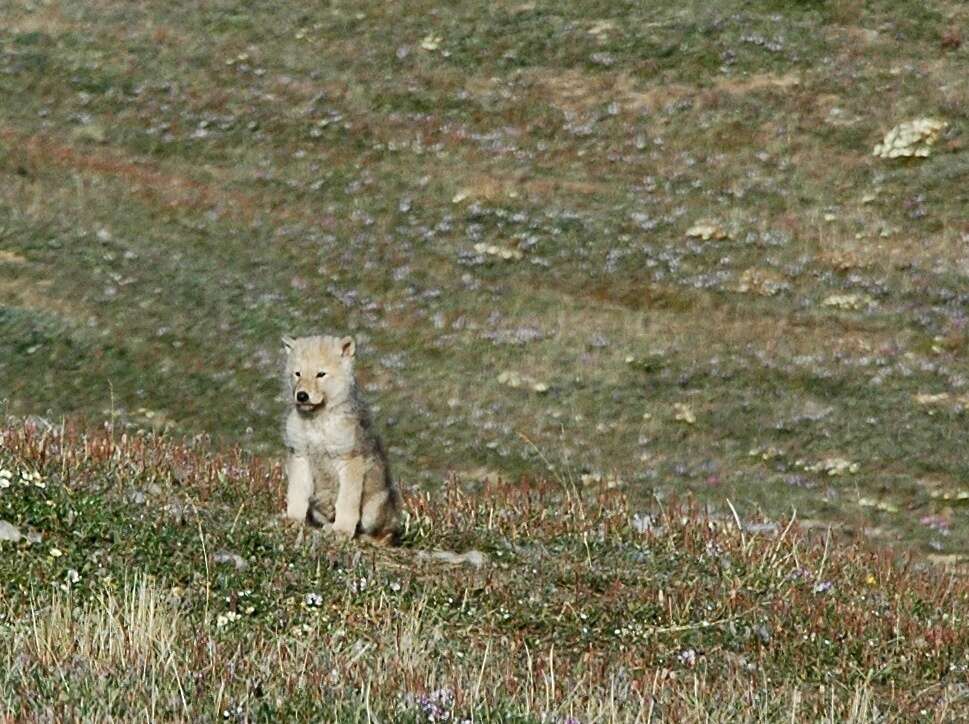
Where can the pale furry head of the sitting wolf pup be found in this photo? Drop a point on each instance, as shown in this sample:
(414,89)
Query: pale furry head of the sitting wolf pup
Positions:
(319,370)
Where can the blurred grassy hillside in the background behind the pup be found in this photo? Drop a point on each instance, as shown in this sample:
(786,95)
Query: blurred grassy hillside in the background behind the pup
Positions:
(494,198)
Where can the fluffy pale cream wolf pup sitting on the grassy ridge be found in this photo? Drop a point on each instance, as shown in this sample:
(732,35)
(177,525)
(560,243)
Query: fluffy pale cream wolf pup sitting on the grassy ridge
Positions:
(336,465)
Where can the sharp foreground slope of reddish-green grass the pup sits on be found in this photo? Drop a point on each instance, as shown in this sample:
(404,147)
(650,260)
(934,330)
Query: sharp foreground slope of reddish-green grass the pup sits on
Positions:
(154,581)
